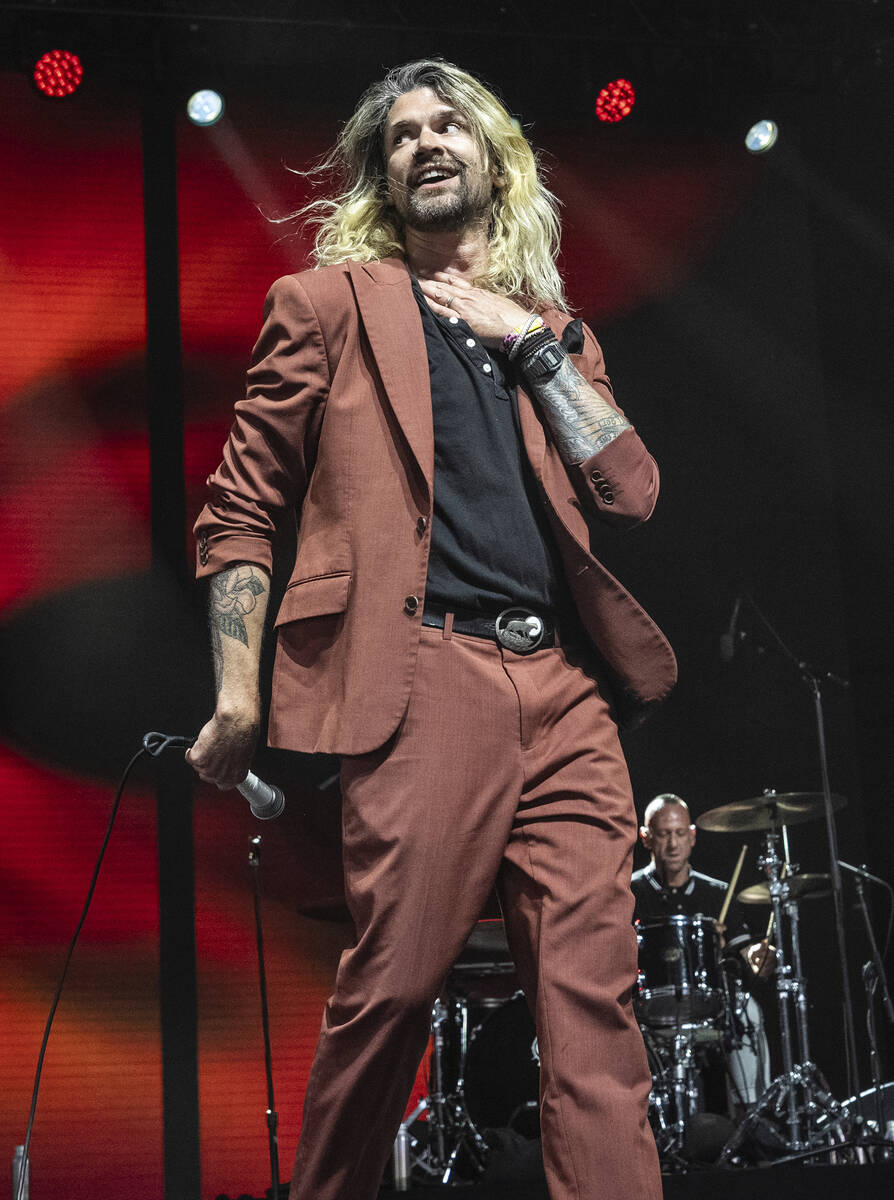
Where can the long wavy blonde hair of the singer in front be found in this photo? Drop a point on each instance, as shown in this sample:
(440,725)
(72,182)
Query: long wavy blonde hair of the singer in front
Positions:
(362,224)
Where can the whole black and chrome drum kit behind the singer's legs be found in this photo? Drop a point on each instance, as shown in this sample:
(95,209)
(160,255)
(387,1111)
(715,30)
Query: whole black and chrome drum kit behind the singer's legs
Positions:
(692,1007)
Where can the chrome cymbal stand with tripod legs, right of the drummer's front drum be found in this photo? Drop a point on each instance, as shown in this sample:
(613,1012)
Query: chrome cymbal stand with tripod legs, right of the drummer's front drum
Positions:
(802,1078)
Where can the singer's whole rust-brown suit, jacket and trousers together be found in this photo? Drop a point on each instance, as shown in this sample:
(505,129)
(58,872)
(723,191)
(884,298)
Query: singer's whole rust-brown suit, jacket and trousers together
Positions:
(463,763)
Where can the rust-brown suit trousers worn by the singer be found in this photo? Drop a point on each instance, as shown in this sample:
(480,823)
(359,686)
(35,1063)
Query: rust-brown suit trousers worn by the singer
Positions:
(505,767)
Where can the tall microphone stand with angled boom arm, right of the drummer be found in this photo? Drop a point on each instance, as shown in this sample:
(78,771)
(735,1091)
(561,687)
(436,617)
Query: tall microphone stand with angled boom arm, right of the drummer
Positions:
(814,679)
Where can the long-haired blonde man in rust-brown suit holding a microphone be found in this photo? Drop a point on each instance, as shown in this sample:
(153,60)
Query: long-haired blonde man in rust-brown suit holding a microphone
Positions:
(451,445)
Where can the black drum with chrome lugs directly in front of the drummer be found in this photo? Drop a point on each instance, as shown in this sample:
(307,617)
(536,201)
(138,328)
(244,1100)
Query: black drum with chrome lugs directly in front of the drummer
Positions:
(680,979)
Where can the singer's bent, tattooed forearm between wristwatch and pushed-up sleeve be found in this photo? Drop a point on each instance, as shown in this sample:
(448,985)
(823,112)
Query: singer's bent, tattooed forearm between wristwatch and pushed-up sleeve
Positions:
(580,419)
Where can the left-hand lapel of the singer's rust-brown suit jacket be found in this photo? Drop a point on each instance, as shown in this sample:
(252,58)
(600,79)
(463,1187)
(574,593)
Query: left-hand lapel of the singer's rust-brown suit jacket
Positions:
(394,327)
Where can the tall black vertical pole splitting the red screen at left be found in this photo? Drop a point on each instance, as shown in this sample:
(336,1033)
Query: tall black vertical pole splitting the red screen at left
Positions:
(178,987)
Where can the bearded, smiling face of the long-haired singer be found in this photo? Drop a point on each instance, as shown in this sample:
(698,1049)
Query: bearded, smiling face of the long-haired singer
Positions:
(436,172)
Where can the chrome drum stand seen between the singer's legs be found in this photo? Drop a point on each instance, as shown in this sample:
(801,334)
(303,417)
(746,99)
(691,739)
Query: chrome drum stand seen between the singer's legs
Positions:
(452,1131)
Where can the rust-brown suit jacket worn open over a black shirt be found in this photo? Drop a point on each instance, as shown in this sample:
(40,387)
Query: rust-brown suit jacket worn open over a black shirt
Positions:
(338,427)
